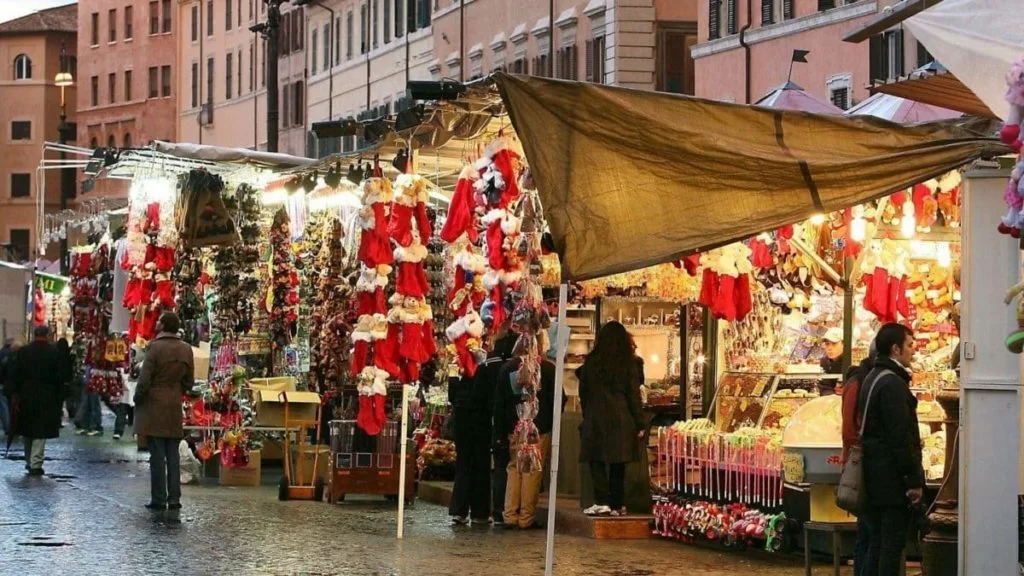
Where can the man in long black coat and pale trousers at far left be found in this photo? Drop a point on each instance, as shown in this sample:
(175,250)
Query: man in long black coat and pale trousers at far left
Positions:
(38,397)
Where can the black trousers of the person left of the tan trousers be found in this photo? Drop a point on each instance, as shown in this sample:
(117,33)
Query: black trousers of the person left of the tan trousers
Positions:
(472,495)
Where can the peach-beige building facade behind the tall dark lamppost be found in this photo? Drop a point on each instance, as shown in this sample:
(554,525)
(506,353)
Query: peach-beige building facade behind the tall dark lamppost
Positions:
(223,88)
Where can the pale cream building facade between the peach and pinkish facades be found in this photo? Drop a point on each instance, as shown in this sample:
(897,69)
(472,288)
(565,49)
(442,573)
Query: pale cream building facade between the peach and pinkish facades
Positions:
(364,61)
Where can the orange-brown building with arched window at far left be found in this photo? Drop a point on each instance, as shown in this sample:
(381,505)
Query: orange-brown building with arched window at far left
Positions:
(31,57)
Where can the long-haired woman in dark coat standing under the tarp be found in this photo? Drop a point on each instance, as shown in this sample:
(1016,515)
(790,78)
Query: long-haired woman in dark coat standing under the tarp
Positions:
(613,416)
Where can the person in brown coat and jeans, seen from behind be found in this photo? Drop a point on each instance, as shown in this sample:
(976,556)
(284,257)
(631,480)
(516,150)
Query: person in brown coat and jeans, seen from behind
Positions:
(168,373)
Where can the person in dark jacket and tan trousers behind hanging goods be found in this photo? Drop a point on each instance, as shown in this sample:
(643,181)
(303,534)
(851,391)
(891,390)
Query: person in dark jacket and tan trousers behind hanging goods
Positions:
(524,489)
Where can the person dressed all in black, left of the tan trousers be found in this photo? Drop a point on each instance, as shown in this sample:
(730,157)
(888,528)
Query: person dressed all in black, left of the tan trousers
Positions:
(473,401)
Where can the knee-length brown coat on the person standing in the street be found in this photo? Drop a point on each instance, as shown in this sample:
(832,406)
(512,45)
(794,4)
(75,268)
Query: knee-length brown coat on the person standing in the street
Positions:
(168,373)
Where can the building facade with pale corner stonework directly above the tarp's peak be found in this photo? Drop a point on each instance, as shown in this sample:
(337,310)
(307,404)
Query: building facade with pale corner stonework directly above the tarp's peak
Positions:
(642,45)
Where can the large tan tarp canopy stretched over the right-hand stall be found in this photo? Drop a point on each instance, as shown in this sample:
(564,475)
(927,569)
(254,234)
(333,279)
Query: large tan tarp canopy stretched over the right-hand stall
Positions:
(631,179)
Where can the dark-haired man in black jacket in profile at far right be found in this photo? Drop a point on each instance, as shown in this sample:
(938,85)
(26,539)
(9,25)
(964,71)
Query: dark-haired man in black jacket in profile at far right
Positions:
(894,478)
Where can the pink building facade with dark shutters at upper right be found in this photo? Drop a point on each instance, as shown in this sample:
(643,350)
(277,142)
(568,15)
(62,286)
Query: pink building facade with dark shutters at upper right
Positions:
(837,71)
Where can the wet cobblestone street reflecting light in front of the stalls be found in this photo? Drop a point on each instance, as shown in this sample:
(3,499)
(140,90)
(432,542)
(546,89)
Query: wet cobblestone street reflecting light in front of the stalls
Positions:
(87,518)
